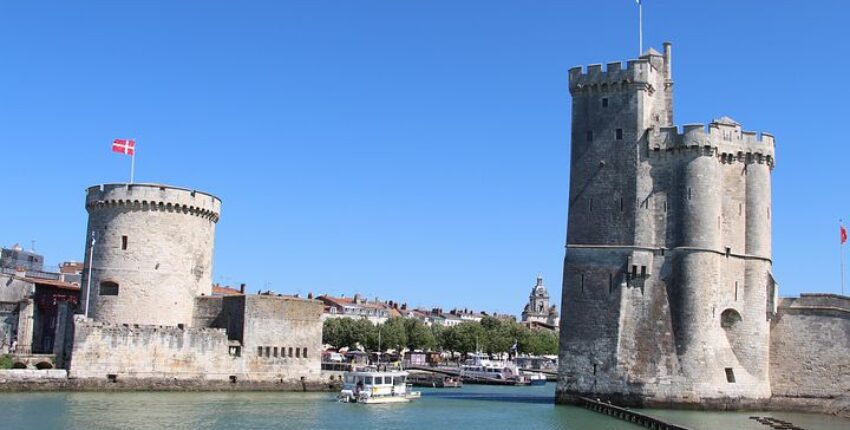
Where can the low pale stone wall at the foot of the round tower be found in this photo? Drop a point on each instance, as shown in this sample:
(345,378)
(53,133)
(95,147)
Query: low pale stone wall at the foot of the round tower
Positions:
(254,338)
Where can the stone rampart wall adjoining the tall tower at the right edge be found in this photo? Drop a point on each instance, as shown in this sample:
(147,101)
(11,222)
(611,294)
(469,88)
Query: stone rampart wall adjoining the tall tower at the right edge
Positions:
(810,347)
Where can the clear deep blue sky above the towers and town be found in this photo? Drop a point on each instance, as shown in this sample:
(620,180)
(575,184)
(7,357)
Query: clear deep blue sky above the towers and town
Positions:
(411,150)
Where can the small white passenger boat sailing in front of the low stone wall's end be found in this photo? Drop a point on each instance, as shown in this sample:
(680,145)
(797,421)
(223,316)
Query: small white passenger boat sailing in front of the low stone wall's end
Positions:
(373,387)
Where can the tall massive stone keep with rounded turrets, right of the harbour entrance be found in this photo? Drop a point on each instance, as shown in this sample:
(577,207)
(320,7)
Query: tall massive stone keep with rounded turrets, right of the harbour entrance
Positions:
(667,291)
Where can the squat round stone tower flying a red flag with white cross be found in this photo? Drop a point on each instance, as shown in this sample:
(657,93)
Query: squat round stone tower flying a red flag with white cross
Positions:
(153,252)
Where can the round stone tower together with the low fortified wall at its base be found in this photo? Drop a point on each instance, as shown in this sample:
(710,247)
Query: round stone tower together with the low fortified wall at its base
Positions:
(150,313)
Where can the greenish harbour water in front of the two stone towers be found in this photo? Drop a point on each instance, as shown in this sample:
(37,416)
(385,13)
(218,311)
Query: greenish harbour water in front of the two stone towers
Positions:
(471,407)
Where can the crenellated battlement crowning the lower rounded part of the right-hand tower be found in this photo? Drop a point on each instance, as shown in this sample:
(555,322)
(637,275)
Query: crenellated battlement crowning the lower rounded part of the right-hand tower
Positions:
(722,137)
